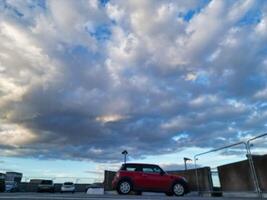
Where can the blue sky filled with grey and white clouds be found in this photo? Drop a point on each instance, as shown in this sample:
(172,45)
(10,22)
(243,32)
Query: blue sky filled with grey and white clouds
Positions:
(83,80)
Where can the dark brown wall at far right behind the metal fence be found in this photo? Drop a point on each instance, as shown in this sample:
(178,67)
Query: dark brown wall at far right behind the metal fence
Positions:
(236,177)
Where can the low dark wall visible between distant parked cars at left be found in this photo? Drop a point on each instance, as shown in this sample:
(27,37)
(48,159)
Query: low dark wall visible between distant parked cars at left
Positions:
(31,187)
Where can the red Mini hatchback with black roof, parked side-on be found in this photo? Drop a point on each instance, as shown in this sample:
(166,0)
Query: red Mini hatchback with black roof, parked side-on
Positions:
(149,178)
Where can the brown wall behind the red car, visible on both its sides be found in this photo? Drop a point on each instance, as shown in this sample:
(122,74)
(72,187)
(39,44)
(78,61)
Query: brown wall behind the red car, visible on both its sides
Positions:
(204,177)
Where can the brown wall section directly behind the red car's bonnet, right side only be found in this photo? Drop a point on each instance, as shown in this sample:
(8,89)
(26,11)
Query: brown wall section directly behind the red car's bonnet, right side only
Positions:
(204,178)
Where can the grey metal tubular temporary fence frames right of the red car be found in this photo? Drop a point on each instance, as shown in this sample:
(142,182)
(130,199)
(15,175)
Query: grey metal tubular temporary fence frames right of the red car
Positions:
(252,170)
